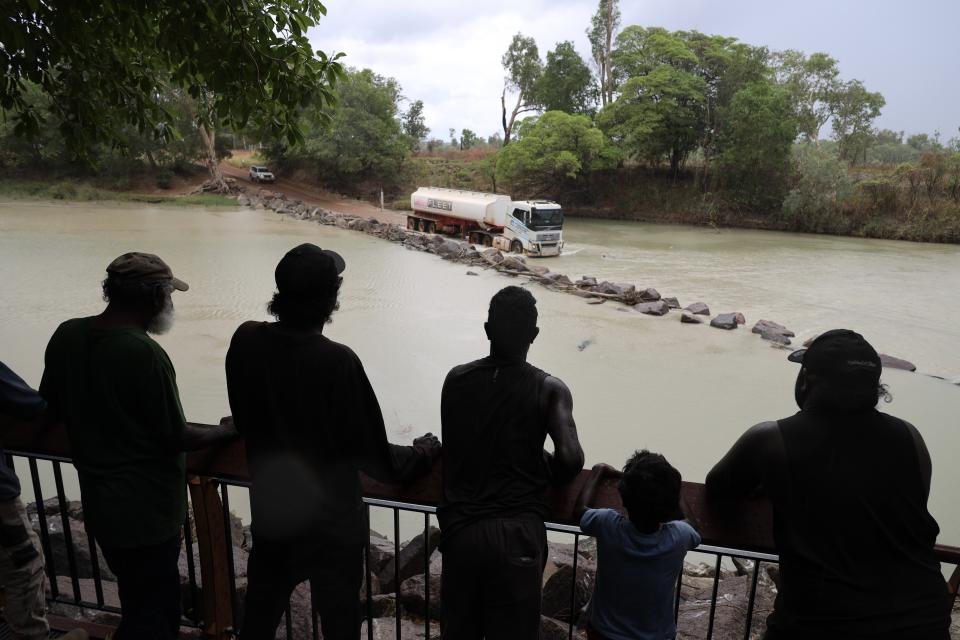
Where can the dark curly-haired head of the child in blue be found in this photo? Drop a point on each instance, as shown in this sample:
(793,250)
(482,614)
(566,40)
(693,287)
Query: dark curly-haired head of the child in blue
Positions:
(650,491)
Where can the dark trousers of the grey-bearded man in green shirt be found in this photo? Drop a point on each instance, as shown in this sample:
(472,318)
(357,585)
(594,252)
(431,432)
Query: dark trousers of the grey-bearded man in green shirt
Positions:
(148,582)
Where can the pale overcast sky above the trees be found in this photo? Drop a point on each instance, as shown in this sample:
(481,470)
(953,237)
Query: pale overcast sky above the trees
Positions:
(447,52)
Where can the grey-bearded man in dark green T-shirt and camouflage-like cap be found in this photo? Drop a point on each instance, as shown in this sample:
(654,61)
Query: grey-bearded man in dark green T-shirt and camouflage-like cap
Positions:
(115,390)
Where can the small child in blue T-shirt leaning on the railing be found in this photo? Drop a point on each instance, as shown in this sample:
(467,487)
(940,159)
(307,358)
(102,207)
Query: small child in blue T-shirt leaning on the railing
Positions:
(639,557)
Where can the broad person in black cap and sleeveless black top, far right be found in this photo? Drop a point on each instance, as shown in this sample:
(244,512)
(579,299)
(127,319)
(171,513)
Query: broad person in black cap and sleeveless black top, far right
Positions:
(849,488)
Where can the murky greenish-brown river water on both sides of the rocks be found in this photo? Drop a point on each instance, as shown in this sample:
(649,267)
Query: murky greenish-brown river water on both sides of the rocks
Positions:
(637,381)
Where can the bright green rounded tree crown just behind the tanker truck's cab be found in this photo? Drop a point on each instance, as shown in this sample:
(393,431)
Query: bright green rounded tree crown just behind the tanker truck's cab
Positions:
(553,152)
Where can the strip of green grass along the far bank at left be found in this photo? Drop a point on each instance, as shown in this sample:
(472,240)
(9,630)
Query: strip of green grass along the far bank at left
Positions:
(73,191)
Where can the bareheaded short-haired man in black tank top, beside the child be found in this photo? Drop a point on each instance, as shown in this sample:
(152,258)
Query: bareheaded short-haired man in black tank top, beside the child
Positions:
(496,414)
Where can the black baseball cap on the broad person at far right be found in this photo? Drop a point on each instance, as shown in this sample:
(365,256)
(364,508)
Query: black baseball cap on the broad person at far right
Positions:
(839,353)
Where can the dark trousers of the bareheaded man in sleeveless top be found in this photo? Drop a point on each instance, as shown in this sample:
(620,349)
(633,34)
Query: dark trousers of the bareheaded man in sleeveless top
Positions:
(491,582)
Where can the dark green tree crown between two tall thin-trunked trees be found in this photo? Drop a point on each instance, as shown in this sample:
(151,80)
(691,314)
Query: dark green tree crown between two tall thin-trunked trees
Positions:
(566,83)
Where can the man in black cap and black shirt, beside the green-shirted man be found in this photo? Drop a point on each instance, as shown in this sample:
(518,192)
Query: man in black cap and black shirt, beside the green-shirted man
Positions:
(311,422)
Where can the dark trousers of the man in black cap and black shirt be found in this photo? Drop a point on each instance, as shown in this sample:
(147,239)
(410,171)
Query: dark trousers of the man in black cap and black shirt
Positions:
(275,568)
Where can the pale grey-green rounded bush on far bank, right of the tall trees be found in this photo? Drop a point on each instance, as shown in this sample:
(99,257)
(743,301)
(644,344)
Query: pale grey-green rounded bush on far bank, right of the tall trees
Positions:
(822,189)
